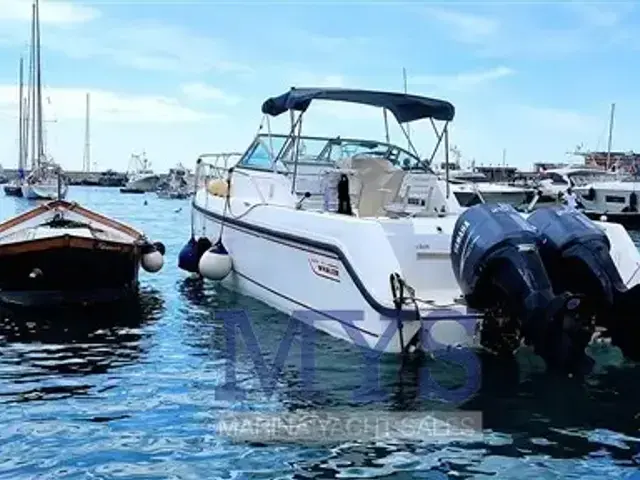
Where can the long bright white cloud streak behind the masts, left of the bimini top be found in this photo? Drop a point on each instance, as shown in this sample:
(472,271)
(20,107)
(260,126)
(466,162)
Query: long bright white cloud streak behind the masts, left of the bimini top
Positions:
(69,103)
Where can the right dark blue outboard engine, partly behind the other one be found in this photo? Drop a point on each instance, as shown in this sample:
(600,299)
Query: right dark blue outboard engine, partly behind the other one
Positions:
(576,254)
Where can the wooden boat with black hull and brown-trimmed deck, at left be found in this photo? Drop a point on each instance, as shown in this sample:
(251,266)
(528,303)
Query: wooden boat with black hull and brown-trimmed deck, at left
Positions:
(61,253)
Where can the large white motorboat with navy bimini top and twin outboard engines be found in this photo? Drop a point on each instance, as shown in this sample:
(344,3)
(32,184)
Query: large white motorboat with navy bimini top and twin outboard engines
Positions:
(375,249)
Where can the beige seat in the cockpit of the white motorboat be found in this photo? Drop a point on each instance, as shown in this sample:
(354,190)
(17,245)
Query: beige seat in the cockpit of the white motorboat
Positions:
(380,181)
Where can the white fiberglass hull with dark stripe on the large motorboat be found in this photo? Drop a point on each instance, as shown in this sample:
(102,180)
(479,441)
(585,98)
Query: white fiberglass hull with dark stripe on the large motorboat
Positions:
(314,280)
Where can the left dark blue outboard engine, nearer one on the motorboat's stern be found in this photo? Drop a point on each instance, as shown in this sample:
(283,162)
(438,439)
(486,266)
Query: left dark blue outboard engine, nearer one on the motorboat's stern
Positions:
(494,254)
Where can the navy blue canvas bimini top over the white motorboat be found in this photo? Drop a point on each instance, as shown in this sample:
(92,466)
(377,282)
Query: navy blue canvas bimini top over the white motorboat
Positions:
(405,107)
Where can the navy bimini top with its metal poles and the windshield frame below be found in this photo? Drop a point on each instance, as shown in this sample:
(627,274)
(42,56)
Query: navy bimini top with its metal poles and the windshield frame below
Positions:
(405,109)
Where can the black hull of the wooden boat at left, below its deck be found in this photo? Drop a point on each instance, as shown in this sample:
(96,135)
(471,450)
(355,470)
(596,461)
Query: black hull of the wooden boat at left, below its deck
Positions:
(67,271)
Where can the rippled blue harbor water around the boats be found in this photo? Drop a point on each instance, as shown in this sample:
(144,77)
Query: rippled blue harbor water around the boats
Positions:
(137,393)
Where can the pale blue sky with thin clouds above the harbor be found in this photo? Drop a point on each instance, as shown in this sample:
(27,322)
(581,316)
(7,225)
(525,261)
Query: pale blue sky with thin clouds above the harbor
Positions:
(176,79)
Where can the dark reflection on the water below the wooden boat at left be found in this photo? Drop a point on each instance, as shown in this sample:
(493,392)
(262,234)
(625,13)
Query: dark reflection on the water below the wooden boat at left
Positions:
(37,349)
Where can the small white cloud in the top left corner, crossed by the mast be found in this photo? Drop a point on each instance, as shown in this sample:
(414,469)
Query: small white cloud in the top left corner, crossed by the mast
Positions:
(55,12)
